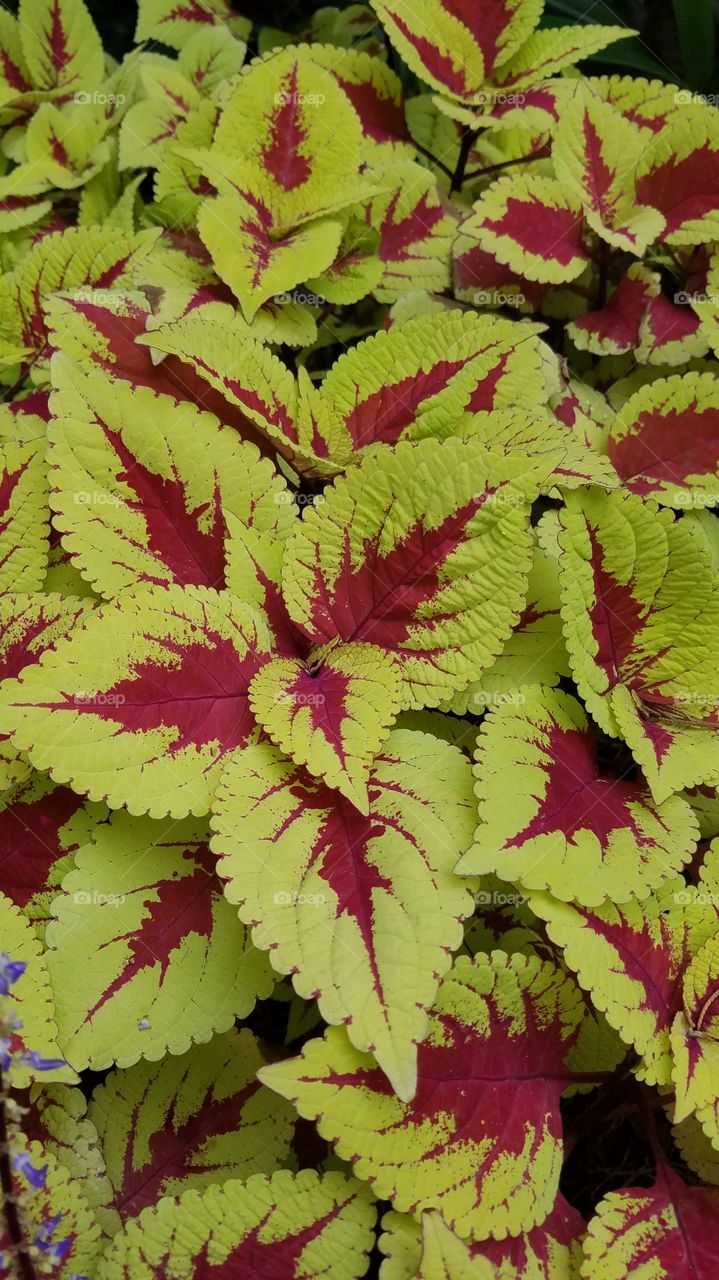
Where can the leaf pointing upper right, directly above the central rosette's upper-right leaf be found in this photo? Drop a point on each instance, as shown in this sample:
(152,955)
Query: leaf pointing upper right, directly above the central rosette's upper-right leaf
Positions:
(383,386)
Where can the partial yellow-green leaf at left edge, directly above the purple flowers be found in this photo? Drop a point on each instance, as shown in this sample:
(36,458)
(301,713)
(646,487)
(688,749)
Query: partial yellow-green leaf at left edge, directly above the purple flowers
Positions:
(30,1003)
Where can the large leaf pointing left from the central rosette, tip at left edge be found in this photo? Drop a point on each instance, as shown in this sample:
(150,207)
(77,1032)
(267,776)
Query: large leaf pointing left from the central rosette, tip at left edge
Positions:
(146,702)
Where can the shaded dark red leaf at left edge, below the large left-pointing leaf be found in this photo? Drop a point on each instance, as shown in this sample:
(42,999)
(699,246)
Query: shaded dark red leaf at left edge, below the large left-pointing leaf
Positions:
(42,829)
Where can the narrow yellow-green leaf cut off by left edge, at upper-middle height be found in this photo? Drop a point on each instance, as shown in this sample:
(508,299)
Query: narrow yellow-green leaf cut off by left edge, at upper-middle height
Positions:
(25,516)
